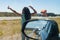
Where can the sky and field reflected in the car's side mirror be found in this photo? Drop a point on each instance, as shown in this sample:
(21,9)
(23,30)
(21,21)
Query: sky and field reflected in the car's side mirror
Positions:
(33,27)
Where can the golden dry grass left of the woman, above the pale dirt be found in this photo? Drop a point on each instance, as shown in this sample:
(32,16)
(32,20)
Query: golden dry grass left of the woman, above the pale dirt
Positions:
(10,27)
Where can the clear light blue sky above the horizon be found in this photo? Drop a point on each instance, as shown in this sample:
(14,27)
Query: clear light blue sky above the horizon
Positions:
(18,5)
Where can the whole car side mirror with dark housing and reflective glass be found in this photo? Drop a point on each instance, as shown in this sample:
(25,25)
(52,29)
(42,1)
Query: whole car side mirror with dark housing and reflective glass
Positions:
(41,29)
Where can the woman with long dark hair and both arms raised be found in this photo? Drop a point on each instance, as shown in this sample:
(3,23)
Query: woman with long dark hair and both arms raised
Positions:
(26,15)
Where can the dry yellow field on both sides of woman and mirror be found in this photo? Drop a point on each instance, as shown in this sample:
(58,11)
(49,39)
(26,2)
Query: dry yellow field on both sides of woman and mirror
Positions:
(11,29)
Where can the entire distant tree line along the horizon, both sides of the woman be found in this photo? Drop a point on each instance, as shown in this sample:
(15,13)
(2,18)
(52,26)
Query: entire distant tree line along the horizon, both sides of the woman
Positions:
(10,14)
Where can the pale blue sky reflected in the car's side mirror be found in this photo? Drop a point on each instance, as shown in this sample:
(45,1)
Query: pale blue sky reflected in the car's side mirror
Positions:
(36,24)
